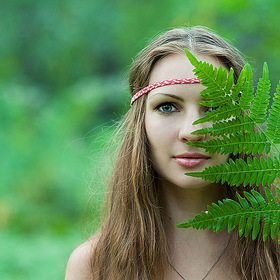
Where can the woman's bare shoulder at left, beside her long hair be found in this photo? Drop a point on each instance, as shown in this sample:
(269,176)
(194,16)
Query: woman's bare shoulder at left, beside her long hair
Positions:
(78,266)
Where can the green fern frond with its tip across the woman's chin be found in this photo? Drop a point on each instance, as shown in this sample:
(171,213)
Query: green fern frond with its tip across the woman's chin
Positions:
(261,172)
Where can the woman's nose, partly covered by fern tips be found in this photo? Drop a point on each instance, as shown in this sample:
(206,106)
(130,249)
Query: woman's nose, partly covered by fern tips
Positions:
(187,127)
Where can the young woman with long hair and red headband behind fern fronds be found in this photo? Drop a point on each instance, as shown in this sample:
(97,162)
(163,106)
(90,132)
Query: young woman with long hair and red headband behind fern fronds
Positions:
(149,193)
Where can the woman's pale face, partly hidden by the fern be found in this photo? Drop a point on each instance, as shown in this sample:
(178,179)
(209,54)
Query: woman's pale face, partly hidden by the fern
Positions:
(170,113)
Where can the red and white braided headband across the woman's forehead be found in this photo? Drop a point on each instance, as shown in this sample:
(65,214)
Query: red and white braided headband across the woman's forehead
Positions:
(163,83)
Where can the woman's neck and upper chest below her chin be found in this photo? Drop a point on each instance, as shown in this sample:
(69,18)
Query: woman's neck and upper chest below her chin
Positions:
(200,249)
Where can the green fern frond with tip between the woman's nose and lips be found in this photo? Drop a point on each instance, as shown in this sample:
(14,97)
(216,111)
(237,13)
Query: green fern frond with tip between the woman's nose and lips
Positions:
(248,143)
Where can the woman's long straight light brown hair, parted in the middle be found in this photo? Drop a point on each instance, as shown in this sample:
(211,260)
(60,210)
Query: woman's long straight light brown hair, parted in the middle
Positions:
(132,243)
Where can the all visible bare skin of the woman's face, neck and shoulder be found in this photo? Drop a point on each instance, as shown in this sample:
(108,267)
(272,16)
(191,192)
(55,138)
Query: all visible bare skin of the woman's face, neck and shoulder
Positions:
(170,113)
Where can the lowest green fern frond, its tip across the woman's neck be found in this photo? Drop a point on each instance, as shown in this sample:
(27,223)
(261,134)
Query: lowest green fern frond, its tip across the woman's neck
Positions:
(247,213)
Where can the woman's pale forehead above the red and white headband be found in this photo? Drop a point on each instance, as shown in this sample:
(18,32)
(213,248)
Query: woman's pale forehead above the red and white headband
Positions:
(177,66)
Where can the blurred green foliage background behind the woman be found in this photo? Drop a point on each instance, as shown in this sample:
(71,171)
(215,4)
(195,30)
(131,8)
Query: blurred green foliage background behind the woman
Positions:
(63,84)
